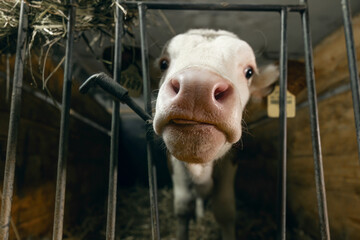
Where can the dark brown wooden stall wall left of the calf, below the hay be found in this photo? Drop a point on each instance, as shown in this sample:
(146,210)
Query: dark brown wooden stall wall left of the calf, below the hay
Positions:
(37,154)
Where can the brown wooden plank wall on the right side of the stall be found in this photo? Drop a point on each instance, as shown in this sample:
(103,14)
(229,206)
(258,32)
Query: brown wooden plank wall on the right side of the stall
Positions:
(258,166)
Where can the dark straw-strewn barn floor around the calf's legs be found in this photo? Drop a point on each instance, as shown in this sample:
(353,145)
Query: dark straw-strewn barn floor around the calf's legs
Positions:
(133,221)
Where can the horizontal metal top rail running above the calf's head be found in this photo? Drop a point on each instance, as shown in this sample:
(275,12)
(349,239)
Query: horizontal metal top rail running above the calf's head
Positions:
(218,6)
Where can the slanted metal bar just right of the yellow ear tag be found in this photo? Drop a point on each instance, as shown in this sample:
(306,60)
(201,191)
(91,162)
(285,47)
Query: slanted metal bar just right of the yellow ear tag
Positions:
(315,131)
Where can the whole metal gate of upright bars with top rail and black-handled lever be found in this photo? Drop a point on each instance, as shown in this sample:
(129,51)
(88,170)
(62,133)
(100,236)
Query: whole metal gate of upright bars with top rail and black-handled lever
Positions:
(114,88)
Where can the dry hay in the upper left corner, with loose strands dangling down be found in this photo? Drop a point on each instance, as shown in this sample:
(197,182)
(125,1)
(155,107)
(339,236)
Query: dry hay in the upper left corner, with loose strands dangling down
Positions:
(47,27)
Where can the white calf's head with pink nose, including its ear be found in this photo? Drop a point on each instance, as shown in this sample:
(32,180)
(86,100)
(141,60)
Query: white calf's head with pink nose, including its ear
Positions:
(207,80)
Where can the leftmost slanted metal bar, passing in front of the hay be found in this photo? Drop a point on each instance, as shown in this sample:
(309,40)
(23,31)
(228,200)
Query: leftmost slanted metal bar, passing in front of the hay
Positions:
(15,109)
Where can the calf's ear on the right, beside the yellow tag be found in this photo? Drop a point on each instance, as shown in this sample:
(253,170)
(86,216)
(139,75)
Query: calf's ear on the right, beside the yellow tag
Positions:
(263,82)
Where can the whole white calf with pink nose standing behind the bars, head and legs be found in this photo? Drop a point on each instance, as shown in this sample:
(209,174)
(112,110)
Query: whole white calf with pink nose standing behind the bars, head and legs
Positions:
(207,80)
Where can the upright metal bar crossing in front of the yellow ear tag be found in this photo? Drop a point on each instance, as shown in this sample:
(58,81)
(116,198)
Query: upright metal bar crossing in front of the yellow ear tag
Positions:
(283,127)
